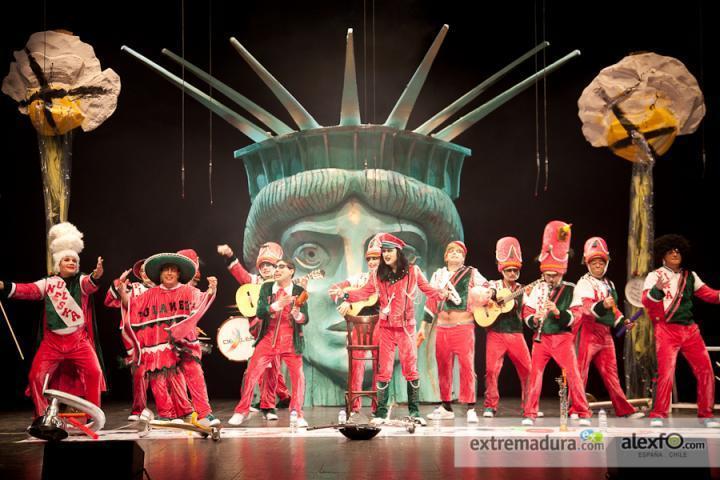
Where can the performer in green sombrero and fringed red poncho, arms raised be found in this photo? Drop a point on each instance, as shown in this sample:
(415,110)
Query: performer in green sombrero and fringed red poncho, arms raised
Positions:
(162,319)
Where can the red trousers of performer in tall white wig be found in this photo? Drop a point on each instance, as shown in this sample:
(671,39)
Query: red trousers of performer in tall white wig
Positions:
(74,348)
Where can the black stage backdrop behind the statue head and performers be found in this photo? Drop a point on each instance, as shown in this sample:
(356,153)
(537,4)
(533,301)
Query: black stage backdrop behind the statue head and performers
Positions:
(126,194)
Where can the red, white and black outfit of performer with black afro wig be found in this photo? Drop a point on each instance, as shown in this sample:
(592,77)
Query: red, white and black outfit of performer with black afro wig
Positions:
(671,312)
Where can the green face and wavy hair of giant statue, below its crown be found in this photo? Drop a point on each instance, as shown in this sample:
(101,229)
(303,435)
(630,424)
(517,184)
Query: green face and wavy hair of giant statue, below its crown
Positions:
(324,219)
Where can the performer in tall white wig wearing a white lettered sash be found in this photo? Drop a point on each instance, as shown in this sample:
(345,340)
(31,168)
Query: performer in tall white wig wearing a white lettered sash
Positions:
(68,330)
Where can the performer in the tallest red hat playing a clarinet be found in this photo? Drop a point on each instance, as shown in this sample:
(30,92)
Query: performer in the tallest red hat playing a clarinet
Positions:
(546,310)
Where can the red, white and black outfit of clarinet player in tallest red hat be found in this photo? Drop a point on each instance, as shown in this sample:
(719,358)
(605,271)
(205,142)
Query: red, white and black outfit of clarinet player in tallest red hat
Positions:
(557,343)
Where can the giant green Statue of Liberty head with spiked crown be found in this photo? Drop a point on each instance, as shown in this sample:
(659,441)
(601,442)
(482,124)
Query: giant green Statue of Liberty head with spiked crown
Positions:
(325,192)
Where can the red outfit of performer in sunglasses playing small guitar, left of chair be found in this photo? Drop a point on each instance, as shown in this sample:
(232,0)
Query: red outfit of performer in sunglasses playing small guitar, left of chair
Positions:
(280,337)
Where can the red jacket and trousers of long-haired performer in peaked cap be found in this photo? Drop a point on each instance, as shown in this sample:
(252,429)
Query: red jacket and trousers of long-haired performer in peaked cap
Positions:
(397,319)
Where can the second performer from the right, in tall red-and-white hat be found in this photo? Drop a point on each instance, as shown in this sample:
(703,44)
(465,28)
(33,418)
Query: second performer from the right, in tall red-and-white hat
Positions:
(595,306)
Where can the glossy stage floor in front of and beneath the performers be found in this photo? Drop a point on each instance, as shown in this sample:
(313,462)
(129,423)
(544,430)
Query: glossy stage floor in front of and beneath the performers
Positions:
(267,450)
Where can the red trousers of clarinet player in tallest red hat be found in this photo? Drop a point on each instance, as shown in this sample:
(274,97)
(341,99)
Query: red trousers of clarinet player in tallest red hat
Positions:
(560,348)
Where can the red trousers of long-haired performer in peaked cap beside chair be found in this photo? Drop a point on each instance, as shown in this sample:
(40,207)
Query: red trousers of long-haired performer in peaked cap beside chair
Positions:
(404,340)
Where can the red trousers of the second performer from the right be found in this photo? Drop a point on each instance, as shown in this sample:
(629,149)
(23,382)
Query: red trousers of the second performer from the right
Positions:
(597,347)
